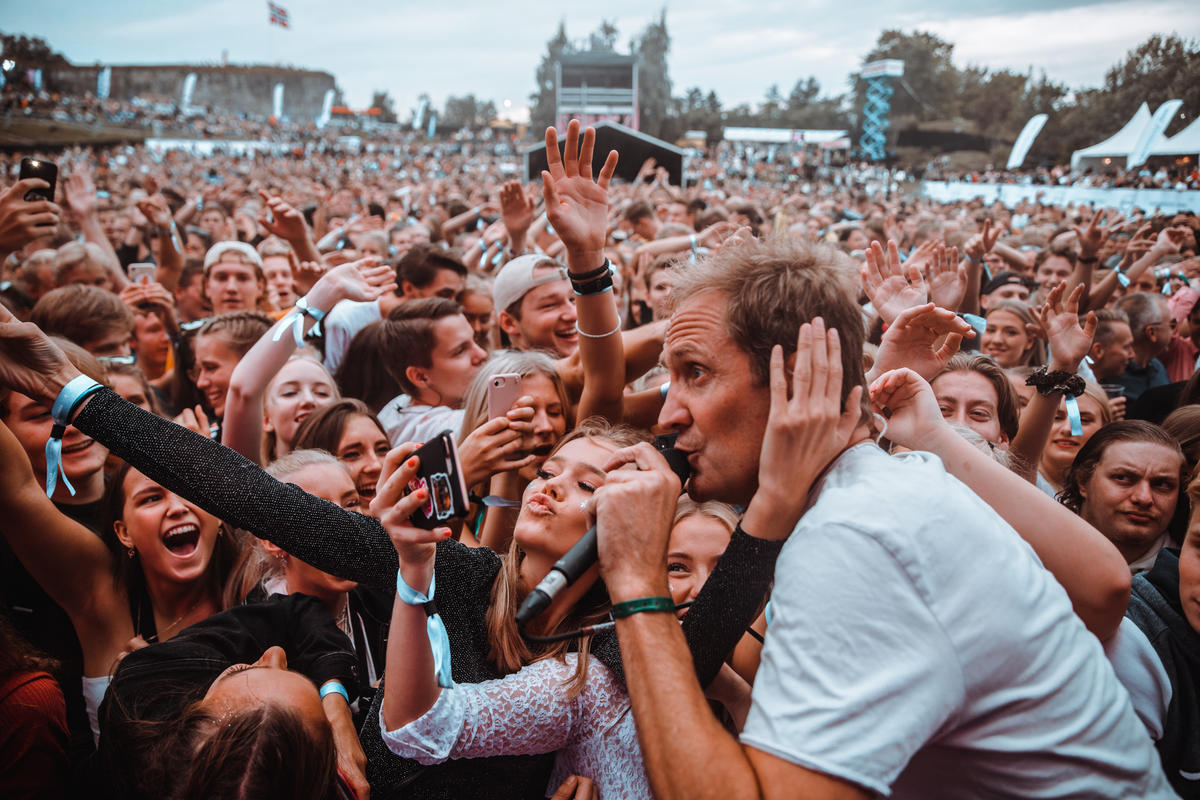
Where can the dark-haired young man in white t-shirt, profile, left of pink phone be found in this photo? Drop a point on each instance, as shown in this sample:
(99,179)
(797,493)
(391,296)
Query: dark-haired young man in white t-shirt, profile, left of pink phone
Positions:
(433,354)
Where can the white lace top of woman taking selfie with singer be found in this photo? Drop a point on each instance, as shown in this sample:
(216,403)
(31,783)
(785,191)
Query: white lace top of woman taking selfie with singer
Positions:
(530,713)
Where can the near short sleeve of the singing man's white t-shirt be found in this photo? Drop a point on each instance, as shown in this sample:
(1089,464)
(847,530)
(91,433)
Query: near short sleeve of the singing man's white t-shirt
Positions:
(857,673)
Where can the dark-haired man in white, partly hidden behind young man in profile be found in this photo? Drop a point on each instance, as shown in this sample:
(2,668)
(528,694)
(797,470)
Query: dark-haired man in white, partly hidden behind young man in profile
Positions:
(424,272)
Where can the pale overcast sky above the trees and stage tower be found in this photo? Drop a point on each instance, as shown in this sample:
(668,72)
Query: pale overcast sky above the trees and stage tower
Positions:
(493,49)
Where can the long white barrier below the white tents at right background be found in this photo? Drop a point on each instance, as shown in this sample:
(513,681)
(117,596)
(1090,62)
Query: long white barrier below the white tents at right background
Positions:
(1124,200)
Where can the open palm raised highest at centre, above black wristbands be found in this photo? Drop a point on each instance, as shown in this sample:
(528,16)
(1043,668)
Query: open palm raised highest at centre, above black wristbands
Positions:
(577,206)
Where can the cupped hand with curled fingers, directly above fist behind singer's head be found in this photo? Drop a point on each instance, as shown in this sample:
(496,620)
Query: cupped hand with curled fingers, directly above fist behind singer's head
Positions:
(923,339)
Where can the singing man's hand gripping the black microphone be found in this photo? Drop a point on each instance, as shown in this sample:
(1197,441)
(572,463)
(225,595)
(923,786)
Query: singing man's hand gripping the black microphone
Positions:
(634,512)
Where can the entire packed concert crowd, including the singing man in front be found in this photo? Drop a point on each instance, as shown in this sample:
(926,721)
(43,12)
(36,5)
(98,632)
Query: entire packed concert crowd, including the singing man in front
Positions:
(934,537)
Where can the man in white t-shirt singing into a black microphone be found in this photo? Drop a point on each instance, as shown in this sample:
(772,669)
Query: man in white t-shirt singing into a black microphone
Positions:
(917,646)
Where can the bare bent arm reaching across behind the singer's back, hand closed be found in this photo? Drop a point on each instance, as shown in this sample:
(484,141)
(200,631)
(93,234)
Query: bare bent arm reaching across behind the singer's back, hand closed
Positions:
(1087,564)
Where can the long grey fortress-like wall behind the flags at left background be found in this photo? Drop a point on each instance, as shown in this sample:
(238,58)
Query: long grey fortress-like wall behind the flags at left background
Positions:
(229,89)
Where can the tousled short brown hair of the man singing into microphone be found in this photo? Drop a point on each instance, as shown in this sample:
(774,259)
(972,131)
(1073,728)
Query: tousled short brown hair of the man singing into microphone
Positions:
(772,288)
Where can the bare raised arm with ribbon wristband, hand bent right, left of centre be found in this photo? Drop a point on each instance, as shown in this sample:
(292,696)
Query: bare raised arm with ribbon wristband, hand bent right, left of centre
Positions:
(243,431)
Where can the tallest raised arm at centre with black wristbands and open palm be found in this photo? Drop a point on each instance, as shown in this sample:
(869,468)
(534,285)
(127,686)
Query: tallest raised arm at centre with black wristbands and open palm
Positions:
(578,208)
